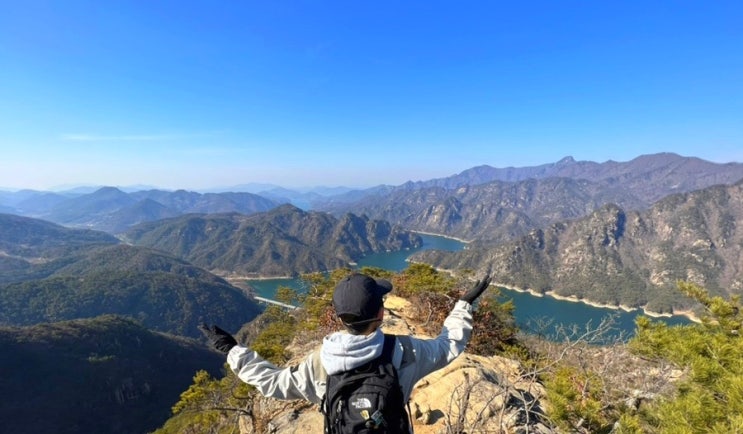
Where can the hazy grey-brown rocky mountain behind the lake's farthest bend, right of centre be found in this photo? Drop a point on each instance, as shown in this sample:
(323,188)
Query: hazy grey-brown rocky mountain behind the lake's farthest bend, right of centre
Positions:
(493,212)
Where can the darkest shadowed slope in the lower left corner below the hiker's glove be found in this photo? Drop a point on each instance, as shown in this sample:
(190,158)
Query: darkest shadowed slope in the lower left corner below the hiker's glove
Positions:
(106,374)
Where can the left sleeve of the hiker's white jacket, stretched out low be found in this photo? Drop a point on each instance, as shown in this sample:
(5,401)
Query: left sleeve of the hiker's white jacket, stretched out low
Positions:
(303,381)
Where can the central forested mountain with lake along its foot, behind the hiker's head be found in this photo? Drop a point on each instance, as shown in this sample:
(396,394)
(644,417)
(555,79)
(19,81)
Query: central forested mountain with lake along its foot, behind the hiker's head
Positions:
(280,242)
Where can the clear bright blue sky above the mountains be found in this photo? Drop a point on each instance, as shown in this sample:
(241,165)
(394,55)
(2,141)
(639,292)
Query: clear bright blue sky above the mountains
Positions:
(202,94)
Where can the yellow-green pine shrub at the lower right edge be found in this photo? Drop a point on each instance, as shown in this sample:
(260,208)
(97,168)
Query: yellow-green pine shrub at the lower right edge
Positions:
(710,398)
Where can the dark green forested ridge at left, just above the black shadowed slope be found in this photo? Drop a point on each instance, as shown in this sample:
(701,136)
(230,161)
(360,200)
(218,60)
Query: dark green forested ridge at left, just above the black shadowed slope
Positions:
(174,301)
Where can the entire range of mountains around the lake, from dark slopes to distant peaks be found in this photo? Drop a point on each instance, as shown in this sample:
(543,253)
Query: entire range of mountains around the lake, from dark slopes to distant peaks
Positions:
(614,233)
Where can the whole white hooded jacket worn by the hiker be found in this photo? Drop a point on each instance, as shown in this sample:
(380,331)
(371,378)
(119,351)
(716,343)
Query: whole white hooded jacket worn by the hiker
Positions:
(414,359)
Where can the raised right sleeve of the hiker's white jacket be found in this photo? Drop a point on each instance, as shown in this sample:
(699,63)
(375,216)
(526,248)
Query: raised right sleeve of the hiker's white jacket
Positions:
(433,354)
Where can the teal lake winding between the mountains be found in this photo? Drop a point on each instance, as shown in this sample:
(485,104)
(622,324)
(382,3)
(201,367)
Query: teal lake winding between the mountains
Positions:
(529,309)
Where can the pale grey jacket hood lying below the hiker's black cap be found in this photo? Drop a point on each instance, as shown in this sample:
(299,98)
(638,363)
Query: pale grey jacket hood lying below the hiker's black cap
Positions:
(341,352)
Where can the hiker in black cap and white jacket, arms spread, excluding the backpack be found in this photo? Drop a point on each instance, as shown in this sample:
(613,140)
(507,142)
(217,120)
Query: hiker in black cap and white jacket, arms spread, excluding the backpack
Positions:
(358,300)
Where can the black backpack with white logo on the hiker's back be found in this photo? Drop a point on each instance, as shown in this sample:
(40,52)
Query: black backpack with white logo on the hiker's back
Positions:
(367,399)
